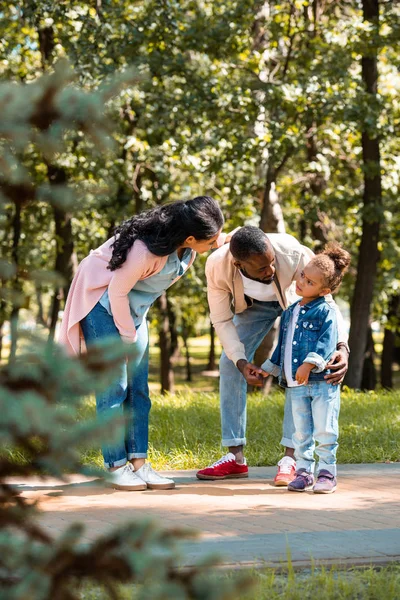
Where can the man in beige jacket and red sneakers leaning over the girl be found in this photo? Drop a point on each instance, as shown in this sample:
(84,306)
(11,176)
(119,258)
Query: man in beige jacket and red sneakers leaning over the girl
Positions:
(254,276)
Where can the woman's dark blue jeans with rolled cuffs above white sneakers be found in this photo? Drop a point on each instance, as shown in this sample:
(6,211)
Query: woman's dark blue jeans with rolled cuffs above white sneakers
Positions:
(128,396)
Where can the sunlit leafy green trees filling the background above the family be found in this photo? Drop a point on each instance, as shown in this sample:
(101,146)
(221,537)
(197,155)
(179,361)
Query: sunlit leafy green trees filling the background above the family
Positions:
(232,92)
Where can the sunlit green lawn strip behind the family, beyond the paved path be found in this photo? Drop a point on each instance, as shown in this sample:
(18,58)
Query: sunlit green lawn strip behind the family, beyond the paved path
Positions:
(185,429)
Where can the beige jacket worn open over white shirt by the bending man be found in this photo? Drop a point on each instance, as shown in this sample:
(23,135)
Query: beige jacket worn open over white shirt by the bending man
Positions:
(226,294)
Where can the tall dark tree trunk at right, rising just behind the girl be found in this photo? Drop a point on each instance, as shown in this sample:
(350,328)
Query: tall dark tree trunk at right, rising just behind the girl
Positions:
(372,200)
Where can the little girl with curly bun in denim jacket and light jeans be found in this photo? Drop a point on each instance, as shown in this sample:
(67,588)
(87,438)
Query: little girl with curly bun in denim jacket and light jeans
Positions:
(307,340)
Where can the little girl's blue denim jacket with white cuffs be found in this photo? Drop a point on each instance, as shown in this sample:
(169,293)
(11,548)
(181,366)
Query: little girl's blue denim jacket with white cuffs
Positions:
(314,340)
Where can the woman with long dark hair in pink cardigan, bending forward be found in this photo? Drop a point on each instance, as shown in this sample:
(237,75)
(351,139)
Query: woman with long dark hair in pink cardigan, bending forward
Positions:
(111,294)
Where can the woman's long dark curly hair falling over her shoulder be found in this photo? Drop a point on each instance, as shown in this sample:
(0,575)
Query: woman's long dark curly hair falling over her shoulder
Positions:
(165,228)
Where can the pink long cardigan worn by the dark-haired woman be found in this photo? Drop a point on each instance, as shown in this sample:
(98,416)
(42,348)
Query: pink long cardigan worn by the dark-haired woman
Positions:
(93,278)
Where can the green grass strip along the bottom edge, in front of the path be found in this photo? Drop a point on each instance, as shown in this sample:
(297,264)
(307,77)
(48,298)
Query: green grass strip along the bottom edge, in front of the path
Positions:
(326,584)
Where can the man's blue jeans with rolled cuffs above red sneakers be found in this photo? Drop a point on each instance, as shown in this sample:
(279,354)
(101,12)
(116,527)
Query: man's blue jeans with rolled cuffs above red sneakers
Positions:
(252,326)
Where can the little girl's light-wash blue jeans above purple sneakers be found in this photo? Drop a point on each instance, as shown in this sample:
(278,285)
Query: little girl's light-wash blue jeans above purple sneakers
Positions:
(315,409)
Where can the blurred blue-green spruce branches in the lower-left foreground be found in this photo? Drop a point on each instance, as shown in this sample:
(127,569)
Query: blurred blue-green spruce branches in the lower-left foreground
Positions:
(40,394)
